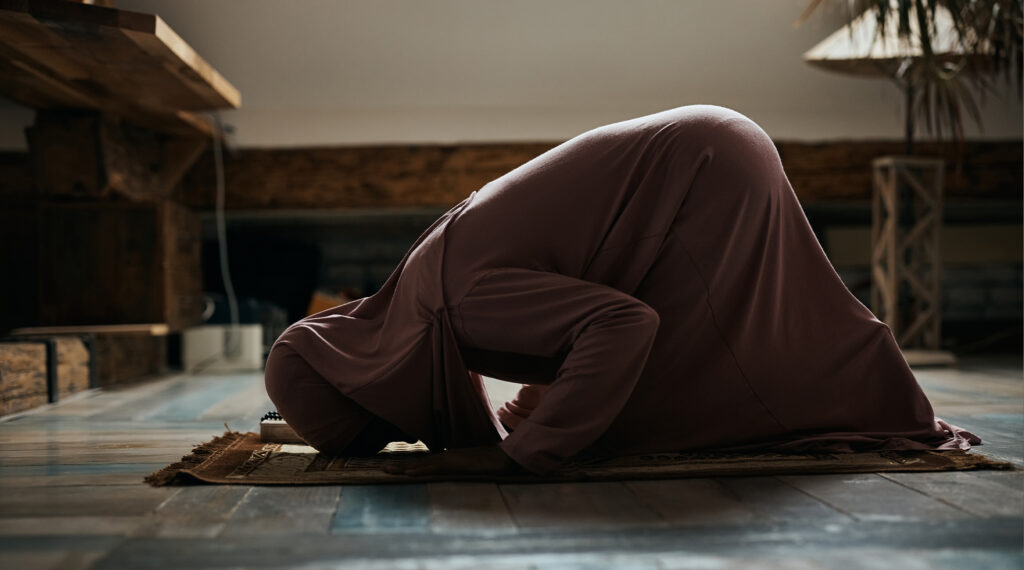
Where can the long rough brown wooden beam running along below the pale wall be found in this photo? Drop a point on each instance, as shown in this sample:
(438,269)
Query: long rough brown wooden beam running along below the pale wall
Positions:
(439,176)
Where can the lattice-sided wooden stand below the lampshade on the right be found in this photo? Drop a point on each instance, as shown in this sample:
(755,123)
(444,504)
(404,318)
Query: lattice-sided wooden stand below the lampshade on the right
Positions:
(908,261)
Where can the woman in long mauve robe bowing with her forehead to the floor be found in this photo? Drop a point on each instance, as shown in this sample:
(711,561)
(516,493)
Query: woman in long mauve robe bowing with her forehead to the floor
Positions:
(656,286)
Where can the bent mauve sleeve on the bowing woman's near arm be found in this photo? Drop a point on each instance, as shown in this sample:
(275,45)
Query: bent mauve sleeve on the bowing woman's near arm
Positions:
(605,334)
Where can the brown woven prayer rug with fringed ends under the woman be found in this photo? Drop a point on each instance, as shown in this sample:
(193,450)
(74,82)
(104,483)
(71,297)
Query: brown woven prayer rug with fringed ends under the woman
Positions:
(242,459)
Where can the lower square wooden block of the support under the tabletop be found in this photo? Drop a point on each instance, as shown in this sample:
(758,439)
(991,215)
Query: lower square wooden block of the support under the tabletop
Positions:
(117,264)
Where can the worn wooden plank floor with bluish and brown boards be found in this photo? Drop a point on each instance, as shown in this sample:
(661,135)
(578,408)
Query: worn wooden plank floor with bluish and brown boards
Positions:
(72,497)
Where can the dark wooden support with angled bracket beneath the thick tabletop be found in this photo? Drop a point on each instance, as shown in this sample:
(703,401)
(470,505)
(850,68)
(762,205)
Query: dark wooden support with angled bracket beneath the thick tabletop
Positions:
(114,248)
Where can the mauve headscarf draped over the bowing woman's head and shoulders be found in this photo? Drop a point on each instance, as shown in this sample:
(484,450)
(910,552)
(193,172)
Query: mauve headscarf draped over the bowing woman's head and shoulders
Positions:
(394,355)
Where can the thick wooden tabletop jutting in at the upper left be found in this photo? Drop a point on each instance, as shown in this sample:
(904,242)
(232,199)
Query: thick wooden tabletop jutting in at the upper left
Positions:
(57,55)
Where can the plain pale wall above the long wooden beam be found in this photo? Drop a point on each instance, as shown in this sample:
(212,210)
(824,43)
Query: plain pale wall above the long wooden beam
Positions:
(333,72)
